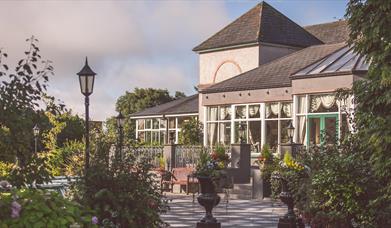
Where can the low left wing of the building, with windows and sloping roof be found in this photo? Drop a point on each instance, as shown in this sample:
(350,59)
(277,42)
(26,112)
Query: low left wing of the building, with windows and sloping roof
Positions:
(155,125)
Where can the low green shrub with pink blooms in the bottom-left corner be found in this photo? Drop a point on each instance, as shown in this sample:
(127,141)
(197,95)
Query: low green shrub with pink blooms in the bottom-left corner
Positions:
(38,208)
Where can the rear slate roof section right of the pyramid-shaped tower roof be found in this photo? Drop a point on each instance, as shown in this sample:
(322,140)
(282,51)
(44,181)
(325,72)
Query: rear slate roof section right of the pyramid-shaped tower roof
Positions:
(330,33)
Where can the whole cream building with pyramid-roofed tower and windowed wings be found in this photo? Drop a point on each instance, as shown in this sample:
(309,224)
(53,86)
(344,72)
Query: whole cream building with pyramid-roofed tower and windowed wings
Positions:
(263,71)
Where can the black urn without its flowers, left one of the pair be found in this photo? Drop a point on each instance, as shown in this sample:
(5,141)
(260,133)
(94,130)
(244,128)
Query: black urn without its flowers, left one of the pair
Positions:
(208,199)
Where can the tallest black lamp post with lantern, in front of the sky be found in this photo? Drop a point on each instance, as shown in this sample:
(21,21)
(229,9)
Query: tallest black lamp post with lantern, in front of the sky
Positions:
(86,80)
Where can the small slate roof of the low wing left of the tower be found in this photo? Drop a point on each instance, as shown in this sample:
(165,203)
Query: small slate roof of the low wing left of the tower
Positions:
(184,105)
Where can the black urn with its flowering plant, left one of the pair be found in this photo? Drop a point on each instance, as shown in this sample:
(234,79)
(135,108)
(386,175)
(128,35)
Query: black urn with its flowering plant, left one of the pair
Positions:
(207,173)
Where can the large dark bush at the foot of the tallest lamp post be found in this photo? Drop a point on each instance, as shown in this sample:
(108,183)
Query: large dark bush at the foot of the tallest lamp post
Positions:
(123,192)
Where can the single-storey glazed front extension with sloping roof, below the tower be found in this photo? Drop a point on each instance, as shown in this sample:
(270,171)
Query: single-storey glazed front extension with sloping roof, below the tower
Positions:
(306,97)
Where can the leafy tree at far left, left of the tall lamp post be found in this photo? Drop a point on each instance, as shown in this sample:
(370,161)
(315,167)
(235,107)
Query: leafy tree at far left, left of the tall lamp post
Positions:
(23,103)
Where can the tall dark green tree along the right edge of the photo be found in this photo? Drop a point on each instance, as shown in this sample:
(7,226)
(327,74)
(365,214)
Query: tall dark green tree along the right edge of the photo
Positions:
(369,23)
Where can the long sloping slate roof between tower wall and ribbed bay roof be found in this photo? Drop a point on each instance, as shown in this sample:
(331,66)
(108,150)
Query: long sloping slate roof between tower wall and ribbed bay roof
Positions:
(276,73)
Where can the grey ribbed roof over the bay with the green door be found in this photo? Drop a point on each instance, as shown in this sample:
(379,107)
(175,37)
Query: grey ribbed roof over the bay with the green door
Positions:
(342,61)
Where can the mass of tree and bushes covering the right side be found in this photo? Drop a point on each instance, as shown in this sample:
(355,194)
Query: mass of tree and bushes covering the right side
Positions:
(349,183)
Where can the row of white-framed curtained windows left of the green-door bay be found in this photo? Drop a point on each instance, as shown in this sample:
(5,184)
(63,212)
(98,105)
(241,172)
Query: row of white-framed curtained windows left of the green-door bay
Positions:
(277,115)
